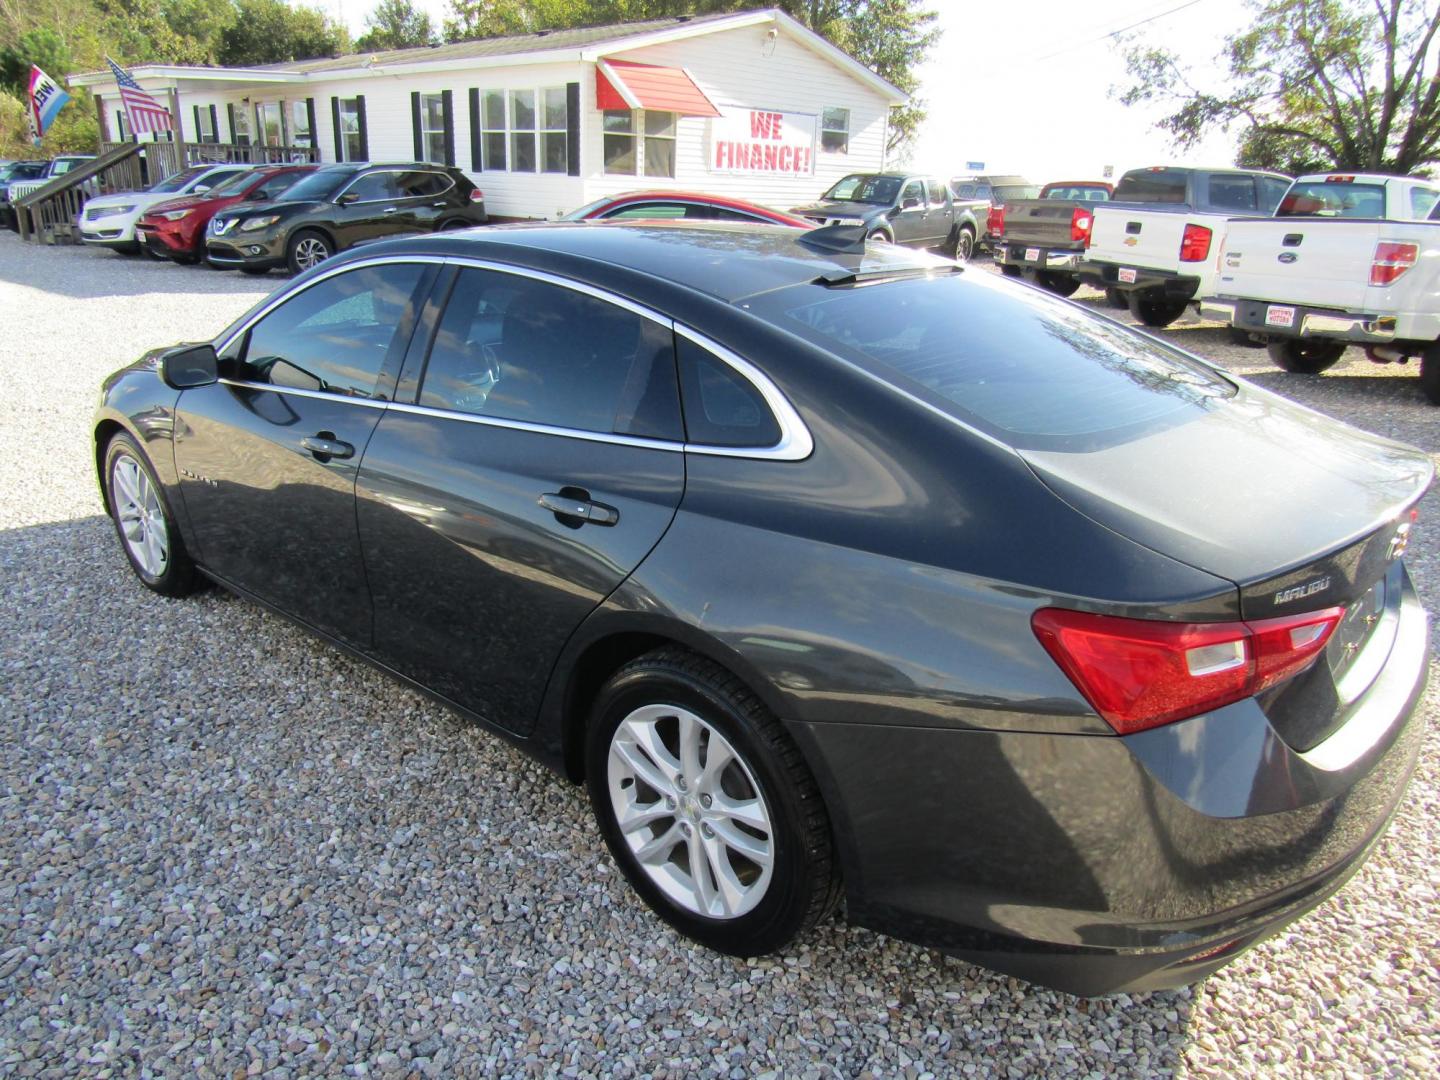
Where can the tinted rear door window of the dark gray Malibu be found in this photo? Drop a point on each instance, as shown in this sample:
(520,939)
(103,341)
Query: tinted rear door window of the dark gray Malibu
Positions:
(521,349)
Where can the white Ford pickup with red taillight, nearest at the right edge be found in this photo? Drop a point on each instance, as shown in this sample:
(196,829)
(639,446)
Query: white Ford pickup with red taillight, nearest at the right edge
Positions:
(1349,260)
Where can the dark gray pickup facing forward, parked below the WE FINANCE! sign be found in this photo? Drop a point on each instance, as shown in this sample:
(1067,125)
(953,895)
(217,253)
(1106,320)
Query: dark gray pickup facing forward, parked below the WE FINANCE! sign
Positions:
(898,208)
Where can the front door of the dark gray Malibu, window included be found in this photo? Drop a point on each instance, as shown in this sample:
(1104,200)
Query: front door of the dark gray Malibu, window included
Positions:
(269,456)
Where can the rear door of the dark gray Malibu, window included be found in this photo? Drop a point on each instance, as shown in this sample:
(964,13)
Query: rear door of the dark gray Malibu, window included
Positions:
(529,473)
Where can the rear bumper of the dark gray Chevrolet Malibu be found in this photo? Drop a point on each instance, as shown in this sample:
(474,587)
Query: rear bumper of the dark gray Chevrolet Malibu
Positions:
(1101,863)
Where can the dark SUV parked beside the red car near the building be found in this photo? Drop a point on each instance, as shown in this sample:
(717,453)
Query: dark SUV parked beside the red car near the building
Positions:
(341,207)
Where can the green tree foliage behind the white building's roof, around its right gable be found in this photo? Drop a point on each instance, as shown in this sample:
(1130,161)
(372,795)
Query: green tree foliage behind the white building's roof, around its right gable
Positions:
(889,37)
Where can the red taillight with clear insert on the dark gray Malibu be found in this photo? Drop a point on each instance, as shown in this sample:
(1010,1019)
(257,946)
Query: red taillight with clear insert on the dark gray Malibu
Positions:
(1144,673)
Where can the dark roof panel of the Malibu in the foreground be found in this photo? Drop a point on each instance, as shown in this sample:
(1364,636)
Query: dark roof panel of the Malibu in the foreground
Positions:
(729,261)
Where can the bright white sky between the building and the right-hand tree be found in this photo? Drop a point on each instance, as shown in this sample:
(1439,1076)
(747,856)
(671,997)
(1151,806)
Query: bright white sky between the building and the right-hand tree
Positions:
(1026,87)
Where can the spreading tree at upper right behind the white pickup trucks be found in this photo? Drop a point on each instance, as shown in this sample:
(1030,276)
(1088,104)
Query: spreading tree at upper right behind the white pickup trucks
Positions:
(1314,84)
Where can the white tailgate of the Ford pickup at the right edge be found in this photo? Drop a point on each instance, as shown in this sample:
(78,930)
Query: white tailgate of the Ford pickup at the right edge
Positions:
(1317,261)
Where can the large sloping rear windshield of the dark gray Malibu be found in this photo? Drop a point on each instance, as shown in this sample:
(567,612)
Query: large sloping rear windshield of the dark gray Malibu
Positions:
(1027,369)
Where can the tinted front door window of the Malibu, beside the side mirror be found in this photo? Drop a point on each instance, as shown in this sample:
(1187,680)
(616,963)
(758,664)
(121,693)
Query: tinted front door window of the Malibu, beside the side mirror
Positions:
(336,336)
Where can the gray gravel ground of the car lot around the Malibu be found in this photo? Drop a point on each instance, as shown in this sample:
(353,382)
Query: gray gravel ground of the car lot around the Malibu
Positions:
(228,850)
